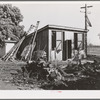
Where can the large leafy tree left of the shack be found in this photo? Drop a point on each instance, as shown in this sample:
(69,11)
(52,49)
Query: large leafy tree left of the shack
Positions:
(10,18)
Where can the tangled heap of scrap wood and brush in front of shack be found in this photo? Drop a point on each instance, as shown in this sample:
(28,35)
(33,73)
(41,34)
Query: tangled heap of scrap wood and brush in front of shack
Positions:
(61,74)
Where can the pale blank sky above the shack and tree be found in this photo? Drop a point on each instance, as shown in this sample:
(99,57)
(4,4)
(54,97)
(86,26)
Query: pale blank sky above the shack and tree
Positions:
(61,13)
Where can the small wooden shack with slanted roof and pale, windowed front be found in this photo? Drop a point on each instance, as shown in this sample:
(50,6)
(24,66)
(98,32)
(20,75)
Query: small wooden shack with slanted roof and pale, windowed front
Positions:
(57,41)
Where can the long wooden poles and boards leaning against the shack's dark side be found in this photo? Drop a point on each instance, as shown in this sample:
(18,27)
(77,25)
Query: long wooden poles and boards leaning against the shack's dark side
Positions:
(27,53)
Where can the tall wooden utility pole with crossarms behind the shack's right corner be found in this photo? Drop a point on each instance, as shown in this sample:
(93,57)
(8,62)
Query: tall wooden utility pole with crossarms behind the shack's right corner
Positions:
(84,36)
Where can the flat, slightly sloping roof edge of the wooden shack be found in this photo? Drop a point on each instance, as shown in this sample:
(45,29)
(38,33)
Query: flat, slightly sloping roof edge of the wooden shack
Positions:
(63,28)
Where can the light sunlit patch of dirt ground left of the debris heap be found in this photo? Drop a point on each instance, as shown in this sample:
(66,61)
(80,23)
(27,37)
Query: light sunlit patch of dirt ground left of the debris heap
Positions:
(10,78)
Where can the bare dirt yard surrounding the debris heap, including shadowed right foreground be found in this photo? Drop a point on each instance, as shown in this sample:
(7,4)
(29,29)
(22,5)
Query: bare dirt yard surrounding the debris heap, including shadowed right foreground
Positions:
(11,78)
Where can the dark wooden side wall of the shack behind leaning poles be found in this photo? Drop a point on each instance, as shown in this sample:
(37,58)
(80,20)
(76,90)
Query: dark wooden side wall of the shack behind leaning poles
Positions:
(41,42)
